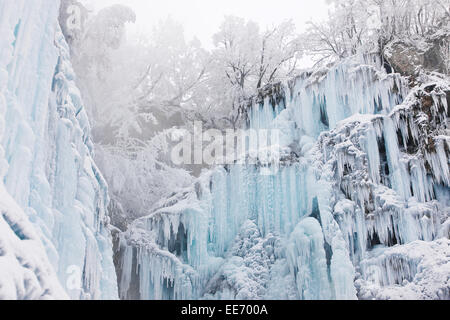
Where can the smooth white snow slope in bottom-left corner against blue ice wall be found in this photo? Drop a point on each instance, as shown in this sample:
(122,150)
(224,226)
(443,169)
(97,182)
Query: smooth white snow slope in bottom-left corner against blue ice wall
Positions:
(26,273)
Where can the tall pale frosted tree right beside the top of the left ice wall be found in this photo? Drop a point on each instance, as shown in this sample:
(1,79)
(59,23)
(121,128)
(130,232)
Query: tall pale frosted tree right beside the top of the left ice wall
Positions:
(92,51)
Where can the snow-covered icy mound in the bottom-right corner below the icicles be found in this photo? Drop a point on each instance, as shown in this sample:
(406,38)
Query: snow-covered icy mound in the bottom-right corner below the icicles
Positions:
(416,271)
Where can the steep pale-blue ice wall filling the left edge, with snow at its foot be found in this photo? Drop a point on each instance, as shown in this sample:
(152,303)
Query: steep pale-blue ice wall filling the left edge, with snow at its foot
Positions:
(54,241)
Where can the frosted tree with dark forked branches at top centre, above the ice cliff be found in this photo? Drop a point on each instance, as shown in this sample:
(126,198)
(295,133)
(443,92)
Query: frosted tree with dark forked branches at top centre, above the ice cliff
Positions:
(246,59)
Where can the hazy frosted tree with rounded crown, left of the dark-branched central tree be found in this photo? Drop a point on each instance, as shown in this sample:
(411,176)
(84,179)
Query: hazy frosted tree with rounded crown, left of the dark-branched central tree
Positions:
(172,75)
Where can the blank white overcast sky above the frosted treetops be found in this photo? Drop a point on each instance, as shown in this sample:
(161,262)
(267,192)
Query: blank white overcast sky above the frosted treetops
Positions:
(202,18)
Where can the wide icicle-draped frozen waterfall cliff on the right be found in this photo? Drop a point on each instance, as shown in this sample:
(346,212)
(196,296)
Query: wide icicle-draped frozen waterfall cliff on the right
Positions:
(367,184)
